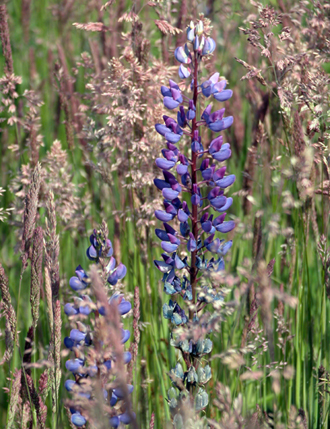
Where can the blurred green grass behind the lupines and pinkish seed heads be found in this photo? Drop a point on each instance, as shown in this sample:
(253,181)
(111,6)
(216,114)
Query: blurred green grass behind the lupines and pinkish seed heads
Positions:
(308,323)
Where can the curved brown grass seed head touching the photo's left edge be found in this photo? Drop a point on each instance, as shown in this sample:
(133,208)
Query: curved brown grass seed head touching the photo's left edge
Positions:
(8,311)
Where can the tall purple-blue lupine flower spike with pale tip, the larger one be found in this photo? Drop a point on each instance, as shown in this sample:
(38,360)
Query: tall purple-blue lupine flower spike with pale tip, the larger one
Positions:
(192,198)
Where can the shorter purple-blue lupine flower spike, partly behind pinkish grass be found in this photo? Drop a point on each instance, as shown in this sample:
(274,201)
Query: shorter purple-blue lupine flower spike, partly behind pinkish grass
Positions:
(94,357)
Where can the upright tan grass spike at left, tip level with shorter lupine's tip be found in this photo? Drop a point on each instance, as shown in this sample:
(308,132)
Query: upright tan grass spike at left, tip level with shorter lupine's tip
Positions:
(36,274)
